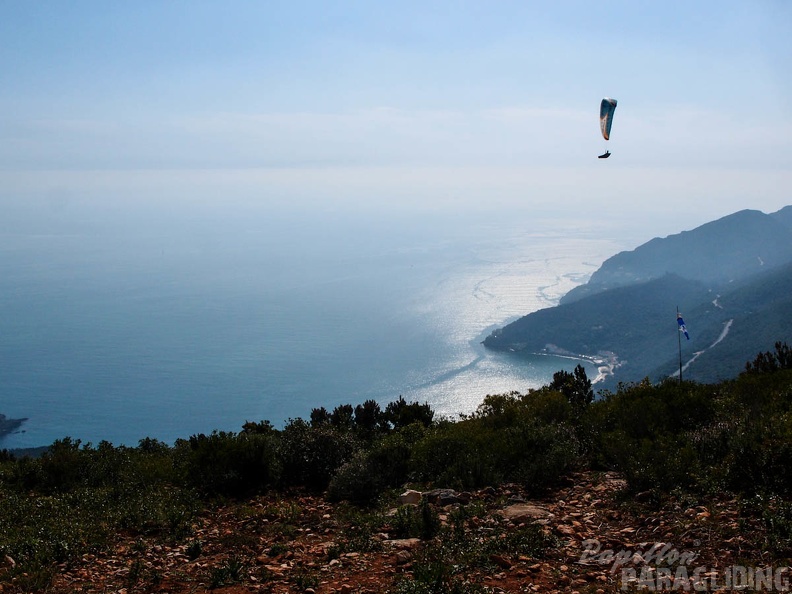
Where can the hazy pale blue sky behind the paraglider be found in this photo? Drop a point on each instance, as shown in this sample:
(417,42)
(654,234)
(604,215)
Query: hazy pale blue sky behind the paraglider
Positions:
(487,105)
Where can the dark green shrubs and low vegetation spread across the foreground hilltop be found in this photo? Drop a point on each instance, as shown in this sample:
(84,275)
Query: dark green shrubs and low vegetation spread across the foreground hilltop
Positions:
(675,438)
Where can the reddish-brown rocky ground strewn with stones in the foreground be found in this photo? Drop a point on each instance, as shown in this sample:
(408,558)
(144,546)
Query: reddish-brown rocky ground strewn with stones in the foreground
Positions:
(599,541)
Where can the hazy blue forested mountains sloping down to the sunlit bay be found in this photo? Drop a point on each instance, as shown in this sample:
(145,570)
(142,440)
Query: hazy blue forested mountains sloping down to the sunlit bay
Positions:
(731,278)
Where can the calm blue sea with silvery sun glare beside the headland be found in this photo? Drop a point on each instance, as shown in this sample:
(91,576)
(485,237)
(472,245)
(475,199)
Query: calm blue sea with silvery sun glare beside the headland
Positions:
(164,325)
